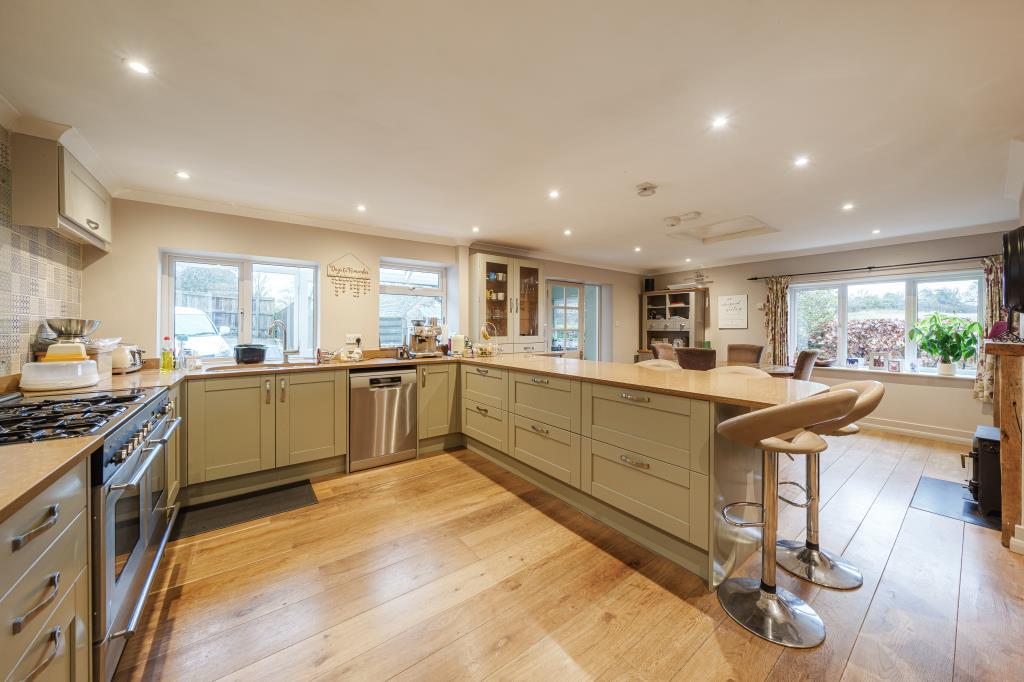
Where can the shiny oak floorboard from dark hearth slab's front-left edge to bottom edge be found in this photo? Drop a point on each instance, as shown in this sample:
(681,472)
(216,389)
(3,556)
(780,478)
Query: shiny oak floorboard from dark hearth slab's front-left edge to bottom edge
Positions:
(910,632)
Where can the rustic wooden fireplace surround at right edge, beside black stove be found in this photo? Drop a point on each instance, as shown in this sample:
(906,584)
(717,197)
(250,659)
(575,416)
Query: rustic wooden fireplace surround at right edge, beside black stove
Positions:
(1007,413)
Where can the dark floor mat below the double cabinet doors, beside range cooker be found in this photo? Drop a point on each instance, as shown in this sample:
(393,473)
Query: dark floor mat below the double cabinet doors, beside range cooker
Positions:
(232,511)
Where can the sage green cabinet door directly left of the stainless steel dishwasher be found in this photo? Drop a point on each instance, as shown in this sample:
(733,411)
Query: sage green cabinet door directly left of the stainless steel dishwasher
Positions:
(312,416)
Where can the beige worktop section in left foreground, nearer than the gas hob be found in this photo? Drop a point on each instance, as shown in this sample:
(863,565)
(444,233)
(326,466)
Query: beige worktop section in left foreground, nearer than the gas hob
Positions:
(28,470)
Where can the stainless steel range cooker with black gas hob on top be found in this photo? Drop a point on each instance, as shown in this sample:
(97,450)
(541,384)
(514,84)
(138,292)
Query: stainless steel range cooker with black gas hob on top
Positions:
(132,520)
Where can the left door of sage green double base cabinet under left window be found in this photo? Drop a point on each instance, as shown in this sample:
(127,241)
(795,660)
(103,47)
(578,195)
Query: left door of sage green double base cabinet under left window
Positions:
(231,428)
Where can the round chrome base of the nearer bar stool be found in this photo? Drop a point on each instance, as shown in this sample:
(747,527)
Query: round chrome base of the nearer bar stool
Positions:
(782,618)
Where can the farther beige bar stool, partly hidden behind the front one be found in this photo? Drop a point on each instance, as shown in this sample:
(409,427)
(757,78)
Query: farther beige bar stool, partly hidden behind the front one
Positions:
(806,560)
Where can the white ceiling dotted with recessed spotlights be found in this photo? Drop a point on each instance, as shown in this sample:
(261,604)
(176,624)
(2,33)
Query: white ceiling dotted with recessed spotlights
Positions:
(440,116)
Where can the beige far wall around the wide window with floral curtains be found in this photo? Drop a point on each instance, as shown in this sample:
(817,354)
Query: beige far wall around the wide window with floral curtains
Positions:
(911,405)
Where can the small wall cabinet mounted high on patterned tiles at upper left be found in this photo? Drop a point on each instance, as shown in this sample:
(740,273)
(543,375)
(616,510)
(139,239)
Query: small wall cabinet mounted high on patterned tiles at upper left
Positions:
(52,189)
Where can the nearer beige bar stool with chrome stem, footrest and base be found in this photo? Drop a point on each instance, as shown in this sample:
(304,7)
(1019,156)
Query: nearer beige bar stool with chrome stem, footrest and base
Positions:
(761,608)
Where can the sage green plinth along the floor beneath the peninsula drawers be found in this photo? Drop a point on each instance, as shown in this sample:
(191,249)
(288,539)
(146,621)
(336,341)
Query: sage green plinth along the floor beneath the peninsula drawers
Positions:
(692,559)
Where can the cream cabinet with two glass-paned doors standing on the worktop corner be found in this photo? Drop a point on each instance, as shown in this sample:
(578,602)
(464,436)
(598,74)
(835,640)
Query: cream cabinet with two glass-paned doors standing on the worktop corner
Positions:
(509,293)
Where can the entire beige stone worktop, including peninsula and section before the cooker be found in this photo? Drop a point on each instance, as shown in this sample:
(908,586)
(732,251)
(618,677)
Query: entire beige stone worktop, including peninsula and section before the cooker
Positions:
(27,470)
